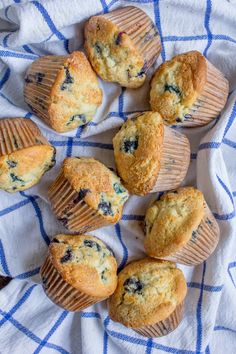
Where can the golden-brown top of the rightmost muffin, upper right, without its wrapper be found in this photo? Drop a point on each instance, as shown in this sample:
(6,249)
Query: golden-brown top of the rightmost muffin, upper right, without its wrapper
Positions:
(176,85)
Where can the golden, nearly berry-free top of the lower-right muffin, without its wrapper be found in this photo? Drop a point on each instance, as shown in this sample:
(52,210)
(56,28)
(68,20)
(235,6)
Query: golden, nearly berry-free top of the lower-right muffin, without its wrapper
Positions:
(171,221)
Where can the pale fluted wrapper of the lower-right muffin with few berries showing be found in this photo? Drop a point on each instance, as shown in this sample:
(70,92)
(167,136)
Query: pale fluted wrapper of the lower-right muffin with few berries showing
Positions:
(202,243)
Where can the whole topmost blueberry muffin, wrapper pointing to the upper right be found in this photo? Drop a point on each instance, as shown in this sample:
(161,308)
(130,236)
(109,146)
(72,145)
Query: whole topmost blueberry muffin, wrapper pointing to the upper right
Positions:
(122,45)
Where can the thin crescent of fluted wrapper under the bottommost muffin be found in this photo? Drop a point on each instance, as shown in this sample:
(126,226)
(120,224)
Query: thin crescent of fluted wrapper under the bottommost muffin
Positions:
(164,327)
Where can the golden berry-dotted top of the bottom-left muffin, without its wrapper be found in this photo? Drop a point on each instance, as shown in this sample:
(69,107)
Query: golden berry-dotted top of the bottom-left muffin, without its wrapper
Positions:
(84,262)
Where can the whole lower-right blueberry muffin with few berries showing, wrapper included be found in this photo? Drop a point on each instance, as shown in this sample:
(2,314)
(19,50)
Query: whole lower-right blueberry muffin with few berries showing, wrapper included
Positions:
(180,227)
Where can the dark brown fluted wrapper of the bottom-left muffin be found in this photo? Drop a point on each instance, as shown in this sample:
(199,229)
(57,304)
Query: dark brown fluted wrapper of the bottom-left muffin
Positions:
(62,293)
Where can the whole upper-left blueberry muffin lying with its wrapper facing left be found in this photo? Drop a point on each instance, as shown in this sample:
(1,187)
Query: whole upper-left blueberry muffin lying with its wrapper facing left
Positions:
(63,91)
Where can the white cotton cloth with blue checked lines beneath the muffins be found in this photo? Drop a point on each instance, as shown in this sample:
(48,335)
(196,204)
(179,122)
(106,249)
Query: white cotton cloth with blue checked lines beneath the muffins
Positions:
(29,321)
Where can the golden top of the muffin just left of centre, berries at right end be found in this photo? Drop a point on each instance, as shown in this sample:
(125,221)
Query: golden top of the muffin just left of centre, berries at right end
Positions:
(98,186)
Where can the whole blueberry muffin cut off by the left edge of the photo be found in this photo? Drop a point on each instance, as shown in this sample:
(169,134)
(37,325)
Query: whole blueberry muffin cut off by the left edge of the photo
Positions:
(25,155)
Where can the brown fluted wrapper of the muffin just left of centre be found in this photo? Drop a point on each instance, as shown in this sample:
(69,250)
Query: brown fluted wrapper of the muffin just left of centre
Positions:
(75,215)
